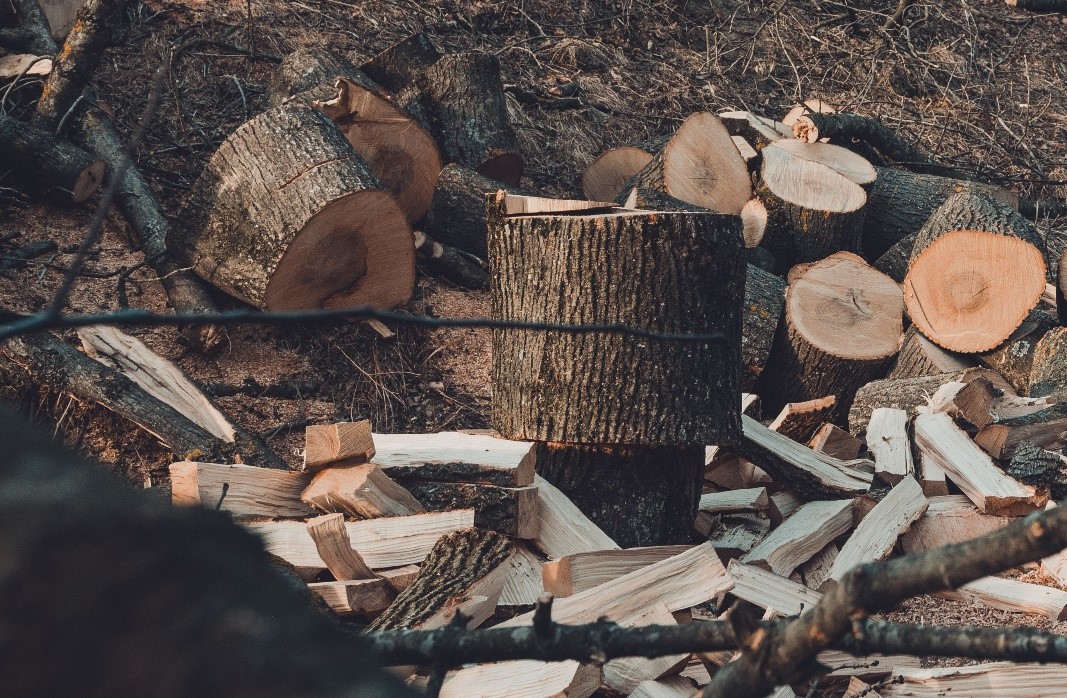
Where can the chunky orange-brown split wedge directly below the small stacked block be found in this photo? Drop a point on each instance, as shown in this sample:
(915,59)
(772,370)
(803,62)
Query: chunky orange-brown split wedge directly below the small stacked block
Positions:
(363,491)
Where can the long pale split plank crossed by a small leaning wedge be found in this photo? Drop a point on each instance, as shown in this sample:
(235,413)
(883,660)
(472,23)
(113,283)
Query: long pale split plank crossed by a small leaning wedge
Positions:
(381,543)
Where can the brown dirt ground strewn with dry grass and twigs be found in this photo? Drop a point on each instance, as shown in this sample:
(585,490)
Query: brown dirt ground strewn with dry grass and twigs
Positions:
(974,82)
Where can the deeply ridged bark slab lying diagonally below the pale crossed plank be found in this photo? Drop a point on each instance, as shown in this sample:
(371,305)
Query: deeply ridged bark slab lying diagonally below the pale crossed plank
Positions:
(456,562)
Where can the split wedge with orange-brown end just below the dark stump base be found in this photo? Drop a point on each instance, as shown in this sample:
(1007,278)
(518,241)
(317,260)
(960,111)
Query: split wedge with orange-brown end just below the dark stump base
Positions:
(574,574)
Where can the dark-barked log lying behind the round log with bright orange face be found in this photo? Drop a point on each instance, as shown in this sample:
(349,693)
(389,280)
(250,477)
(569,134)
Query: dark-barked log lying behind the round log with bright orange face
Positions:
(900,203)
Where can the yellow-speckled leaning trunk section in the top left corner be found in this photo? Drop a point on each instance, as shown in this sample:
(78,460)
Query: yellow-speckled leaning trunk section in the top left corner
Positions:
(94,31)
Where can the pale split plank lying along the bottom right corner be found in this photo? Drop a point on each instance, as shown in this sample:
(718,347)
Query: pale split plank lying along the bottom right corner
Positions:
(993,680)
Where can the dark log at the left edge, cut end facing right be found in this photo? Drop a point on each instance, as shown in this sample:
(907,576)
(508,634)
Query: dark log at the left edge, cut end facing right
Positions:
(46,167)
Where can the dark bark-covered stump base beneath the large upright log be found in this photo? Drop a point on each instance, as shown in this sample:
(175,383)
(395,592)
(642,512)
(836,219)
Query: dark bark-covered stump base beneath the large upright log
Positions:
(639,496)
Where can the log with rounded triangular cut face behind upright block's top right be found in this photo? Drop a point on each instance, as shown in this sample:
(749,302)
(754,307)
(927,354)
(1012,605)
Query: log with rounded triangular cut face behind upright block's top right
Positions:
(699,166)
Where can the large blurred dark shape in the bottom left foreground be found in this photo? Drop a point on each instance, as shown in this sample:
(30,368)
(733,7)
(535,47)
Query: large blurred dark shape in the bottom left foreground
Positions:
(85,553)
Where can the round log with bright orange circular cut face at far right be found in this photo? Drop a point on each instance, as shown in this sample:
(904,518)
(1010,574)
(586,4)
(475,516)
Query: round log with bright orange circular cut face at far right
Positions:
(978,269)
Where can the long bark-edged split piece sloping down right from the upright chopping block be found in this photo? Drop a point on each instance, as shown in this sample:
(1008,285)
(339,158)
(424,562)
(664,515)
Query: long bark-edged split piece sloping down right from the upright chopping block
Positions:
(808,472)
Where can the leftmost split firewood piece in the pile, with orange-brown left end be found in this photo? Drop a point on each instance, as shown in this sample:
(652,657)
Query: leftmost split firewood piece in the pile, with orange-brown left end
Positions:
(242,490)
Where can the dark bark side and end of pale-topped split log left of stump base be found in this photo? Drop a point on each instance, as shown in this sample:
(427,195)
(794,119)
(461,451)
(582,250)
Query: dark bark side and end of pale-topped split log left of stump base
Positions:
(508,511)
